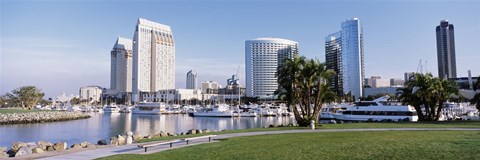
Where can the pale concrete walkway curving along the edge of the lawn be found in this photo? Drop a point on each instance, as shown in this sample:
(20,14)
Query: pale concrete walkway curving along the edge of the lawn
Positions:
(133,149)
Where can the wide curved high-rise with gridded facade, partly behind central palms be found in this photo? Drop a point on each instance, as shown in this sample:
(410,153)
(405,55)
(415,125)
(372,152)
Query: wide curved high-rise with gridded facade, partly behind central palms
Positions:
(262,57)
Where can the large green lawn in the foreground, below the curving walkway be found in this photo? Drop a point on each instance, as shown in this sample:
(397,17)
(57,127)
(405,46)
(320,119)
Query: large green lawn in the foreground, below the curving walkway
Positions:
(339,145)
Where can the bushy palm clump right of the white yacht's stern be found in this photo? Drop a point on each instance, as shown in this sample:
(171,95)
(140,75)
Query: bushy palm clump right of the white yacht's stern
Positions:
(427,95)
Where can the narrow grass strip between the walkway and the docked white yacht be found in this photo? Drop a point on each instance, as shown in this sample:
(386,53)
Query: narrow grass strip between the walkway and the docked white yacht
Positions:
(445,124)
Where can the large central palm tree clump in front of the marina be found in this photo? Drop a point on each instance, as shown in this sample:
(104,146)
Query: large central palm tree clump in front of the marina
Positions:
(303,84)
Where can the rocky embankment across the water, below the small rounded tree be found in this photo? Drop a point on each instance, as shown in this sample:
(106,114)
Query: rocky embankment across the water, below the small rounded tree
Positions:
(40,117)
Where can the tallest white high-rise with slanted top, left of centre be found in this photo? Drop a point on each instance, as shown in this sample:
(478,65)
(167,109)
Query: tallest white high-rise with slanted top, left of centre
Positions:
(153,58)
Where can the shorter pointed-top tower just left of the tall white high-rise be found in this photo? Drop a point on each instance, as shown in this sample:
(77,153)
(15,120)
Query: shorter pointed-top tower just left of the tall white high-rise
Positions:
(121,65)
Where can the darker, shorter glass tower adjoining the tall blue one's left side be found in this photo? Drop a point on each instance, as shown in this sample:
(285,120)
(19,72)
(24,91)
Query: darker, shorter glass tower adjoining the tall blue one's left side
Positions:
(333,60)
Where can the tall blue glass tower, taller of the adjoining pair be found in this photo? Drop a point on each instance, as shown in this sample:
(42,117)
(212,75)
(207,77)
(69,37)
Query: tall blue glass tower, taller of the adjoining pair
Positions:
(353,69)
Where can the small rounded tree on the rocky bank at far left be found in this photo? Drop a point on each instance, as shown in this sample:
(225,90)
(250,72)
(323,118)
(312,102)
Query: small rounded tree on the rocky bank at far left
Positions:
(26,96)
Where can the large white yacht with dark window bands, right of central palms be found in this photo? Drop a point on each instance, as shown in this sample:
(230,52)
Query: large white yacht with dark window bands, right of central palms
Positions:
(377,110)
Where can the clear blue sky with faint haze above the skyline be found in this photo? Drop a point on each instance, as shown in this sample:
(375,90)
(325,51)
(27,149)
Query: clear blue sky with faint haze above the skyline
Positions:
(62,45)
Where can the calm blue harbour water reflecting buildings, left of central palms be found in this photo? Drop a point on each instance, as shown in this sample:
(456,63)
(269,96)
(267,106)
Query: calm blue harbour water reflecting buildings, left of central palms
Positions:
(106,125)
